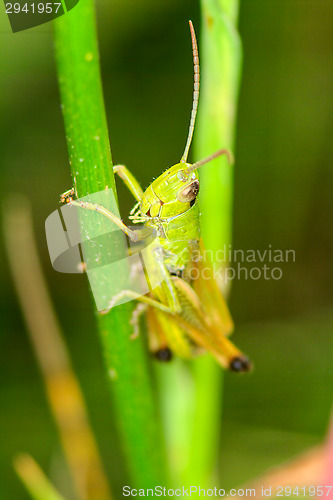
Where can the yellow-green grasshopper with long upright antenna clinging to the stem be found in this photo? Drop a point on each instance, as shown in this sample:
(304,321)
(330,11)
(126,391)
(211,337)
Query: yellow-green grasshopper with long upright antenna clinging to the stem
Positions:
(184,315)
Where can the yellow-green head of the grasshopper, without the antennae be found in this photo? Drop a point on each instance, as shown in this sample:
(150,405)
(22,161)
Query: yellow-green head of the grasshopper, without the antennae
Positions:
(172,193)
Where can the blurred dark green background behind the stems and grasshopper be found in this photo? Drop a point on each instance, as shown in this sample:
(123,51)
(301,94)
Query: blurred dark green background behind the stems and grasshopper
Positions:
(283,183)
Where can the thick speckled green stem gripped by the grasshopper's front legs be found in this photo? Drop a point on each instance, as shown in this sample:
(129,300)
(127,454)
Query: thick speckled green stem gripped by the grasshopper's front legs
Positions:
(91,167)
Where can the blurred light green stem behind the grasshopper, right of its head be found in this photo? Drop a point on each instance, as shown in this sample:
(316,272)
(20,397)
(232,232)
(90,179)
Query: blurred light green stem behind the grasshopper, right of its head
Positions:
(220,51)
